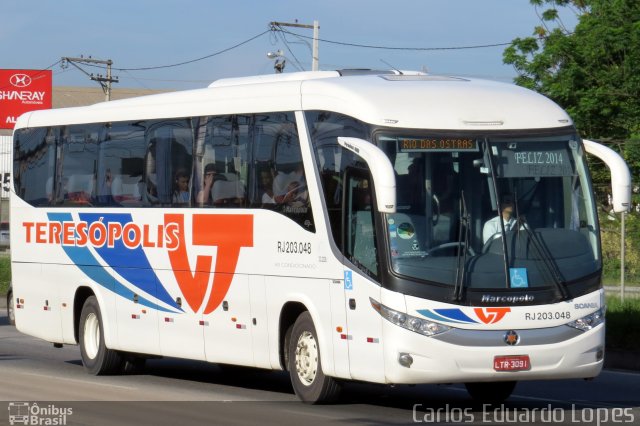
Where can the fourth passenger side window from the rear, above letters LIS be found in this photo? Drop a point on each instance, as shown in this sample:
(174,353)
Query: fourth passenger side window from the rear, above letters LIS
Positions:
(168,163)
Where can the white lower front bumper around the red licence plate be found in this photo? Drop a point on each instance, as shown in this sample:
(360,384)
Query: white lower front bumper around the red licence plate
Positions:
(411,358)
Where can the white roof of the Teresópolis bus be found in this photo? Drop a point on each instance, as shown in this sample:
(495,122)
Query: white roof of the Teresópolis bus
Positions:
(391,99)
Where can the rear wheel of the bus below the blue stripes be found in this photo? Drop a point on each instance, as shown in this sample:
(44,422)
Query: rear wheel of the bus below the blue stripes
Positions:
(96,357)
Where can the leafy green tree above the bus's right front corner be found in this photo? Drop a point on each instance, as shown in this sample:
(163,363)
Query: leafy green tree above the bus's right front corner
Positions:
(593,71)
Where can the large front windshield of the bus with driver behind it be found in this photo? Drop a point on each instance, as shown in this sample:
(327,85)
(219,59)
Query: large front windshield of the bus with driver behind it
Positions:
(489,213)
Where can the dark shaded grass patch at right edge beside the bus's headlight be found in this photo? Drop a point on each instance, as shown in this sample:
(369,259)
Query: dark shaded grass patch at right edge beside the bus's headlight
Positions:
(623,323)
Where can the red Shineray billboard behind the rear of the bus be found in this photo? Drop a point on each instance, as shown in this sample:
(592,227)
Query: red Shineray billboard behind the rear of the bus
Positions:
(23,91)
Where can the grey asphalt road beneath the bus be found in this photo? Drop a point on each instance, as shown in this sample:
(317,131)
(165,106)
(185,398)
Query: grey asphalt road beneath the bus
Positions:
(49,386)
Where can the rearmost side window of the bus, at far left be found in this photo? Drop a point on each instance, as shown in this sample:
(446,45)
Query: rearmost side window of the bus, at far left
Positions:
(34,165)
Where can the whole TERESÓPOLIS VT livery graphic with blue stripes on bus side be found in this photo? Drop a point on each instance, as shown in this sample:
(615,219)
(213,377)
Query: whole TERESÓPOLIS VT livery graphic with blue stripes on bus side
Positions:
(119,242)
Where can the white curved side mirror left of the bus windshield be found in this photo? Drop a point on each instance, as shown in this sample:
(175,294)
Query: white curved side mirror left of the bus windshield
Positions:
(384,179)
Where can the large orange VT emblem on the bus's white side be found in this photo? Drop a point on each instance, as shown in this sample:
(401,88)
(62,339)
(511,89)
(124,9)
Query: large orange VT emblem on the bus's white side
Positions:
(228,233)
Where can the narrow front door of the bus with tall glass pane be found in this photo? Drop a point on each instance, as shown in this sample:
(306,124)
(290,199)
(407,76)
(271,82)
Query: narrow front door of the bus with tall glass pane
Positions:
(360,276)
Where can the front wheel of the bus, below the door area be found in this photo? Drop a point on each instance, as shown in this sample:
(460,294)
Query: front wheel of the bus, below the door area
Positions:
(305,366)
